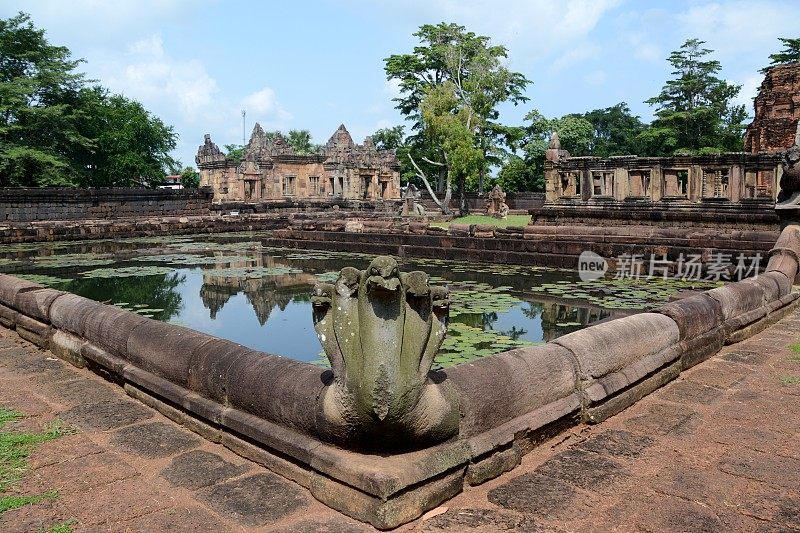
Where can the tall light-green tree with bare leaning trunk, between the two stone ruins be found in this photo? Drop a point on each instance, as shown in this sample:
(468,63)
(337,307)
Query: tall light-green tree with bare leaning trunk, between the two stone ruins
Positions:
(451,86)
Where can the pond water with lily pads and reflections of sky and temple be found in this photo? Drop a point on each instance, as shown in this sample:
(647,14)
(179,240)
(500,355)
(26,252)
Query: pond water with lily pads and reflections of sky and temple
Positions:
(231,286)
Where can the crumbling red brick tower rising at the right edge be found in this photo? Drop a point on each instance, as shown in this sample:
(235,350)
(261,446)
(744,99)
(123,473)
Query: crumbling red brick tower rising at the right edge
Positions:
(777,111)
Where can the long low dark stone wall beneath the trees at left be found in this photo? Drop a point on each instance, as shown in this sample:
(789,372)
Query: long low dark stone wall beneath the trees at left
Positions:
(62,203)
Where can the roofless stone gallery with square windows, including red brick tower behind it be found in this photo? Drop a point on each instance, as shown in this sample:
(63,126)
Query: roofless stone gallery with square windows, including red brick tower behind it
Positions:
(639,188)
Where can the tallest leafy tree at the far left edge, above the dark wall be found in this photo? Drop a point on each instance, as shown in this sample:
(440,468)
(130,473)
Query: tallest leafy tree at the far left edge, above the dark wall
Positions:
(40,96)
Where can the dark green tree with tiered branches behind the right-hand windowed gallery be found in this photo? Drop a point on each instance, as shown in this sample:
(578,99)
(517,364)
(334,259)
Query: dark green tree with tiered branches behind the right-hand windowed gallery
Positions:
(695,110)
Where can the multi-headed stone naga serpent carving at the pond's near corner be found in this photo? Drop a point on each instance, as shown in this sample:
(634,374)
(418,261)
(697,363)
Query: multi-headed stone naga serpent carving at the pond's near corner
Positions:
(381,329)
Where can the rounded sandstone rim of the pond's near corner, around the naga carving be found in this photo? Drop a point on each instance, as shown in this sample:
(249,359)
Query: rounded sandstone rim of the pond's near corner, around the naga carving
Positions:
(266,407)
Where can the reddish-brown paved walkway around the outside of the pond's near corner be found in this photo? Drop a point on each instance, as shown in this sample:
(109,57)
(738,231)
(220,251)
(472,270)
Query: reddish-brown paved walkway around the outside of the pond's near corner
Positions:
(716,450)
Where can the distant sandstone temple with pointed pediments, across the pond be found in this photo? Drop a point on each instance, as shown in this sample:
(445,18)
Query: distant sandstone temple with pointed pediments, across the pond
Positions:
(271,170)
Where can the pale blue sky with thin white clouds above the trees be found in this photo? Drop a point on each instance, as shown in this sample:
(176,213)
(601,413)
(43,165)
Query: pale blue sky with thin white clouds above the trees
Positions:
(316,64)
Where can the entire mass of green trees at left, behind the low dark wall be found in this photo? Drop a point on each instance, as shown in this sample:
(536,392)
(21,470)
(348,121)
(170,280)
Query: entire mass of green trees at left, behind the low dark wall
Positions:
(58,128)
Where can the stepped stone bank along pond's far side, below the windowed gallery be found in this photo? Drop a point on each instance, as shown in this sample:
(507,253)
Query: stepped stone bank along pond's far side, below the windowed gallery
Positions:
(541,245)
